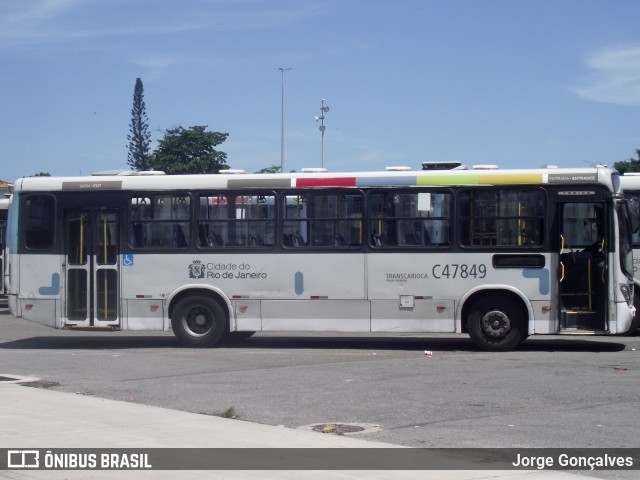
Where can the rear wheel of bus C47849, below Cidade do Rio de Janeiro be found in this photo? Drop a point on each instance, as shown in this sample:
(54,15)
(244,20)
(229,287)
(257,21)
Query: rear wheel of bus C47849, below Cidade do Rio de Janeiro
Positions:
(198,321)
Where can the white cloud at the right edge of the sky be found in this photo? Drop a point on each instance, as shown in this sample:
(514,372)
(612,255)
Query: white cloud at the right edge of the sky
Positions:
(614,77)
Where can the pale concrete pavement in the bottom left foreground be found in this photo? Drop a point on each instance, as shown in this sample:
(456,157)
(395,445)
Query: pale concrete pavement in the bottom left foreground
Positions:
(37,418)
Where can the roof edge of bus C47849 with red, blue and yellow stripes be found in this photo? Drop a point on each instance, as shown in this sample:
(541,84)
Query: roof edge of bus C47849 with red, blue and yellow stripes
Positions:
(487,177)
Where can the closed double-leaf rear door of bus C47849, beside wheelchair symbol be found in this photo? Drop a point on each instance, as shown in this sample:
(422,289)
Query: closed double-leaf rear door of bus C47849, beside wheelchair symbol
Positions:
(91,267)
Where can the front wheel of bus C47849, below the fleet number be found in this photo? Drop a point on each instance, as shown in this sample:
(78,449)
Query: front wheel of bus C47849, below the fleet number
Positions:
(497,323)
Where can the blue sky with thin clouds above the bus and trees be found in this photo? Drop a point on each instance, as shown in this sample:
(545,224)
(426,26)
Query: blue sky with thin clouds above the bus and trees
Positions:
(506,82)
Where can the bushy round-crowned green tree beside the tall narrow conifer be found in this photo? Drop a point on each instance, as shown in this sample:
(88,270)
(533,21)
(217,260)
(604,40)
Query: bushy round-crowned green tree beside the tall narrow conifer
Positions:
(183,151)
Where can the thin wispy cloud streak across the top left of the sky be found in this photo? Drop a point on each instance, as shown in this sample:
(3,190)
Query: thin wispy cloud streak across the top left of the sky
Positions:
(37,22)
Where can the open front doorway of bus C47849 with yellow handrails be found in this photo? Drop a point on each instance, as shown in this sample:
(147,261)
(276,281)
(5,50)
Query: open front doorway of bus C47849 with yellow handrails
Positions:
(582,267)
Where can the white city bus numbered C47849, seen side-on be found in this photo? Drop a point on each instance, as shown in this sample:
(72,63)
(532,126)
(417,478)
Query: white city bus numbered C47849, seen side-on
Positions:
(497,254)
